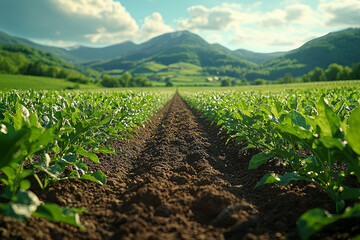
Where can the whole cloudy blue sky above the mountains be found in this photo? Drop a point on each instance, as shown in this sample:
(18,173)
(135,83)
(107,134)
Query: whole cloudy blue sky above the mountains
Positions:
(259,26)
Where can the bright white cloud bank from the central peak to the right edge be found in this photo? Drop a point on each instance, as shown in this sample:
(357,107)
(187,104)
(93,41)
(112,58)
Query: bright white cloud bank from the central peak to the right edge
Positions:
(282,27)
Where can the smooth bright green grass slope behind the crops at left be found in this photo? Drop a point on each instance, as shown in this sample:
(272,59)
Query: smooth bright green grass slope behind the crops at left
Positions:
(39,83)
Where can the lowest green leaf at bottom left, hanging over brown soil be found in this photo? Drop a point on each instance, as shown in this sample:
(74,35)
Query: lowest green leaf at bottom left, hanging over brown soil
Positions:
(56,213)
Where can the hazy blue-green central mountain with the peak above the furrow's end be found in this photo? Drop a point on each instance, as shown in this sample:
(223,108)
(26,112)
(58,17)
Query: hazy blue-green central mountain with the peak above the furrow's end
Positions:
(170,48)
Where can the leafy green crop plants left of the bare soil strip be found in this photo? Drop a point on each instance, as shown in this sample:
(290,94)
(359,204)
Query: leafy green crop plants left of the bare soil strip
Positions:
(47,135)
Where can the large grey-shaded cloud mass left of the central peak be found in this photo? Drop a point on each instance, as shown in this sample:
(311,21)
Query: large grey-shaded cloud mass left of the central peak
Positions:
(81,21)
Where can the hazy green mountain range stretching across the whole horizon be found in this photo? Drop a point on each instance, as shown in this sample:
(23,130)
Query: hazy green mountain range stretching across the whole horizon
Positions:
(342,47)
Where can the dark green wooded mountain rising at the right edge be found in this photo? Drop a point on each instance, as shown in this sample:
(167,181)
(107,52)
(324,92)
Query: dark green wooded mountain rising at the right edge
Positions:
(342,47)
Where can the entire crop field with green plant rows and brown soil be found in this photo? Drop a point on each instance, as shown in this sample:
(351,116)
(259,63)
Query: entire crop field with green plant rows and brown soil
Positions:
(266,162)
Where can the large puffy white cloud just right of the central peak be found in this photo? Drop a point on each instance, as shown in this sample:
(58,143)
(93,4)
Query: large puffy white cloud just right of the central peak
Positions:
(249,26)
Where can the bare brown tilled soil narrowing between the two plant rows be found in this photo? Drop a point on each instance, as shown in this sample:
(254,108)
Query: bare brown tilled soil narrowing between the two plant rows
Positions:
(176,179)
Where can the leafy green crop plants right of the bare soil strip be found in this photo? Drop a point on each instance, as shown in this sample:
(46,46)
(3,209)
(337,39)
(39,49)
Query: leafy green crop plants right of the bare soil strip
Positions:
(315,133)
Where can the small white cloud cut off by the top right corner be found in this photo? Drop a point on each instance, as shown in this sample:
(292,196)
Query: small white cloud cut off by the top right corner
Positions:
(341,13)
